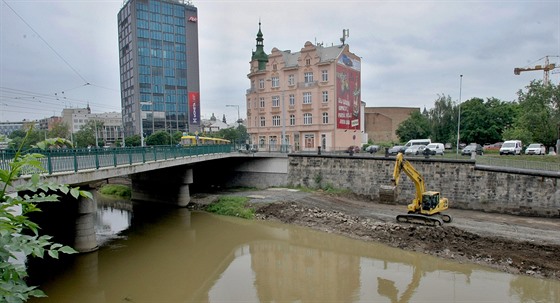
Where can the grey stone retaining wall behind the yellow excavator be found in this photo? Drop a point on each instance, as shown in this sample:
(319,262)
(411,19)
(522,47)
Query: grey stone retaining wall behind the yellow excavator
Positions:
(466,186)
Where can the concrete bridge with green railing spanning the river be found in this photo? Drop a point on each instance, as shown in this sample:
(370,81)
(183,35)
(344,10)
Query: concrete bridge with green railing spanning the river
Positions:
(162,174)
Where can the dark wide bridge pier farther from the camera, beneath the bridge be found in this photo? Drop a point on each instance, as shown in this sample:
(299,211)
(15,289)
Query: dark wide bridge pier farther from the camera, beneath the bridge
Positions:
(169,185)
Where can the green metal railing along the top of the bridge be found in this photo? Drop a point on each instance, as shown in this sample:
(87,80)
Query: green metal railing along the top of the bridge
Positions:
(74,160)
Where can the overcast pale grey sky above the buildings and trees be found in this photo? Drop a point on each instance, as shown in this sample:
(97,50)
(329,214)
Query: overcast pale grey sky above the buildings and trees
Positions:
(64,53)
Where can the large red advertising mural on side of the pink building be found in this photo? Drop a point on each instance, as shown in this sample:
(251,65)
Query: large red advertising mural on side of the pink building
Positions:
(348,89)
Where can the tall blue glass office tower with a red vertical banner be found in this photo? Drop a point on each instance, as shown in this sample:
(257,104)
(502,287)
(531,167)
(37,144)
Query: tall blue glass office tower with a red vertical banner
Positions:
(158,53)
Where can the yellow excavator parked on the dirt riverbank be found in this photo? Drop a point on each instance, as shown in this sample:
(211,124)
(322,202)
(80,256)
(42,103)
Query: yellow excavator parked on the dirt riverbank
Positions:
(427,206)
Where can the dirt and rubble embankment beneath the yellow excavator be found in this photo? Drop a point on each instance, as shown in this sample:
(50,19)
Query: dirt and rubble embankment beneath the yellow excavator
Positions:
(516,245)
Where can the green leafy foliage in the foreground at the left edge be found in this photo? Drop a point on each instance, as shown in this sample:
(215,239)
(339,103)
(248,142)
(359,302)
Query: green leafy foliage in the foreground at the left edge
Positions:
(18,234)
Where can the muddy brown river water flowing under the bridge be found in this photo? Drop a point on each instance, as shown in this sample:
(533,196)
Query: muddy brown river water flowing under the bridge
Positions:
(151,253)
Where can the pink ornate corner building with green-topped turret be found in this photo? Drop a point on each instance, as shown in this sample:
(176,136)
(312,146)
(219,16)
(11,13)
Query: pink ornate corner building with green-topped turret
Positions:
(304,100)
